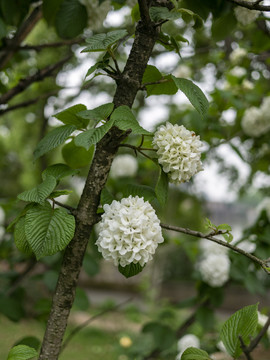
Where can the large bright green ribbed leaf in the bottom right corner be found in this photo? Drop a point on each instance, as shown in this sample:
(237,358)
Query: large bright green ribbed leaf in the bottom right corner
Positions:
(242,323)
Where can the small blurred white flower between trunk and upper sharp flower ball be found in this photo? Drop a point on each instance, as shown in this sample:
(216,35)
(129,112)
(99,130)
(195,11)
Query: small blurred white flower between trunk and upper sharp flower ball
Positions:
(124,165)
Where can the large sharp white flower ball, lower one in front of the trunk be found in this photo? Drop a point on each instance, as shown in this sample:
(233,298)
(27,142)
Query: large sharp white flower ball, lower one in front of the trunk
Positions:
(129,232)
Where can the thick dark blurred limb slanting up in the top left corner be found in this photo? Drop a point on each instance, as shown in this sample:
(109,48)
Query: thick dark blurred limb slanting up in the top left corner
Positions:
(23,31)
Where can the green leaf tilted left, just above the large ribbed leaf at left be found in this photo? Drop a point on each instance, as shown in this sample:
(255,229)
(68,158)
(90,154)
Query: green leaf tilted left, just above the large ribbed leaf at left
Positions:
(40,192)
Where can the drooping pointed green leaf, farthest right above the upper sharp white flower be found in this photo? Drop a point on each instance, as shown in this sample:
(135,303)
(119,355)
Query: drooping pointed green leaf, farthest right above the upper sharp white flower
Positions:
(193,93)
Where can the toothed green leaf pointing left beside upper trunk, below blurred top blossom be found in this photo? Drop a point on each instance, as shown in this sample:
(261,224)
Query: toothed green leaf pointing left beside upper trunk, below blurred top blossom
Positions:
(101,42)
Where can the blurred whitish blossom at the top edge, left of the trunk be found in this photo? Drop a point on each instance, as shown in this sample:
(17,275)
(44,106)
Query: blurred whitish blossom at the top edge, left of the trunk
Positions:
(96,13)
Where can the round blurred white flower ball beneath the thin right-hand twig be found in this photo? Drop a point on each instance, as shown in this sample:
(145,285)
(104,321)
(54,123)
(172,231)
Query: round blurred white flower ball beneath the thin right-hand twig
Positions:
(214,269)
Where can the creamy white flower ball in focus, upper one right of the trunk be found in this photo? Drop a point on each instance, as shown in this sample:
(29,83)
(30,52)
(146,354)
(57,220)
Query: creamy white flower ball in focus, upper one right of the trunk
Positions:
(178,151)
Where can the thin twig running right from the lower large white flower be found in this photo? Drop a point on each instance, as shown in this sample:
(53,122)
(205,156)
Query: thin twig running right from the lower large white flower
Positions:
(198,234)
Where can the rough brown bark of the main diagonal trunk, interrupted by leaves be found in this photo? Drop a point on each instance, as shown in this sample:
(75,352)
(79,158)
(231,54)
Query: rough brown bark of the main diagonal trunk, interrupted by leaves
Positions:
(128,85)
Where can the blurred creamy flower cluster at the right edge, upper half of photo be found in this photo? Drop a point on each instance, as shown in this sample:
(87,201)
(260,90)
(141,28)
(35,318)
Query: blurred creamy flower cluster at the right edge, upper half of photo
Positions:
(256,120)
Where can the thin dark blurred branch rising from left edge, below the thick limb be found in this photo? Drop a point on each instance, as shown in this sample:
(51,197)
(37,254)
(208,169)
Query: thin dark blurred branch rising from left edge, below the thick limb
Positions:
(38,76)
